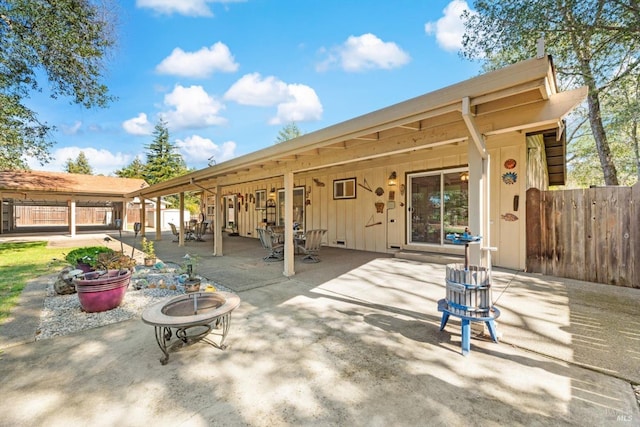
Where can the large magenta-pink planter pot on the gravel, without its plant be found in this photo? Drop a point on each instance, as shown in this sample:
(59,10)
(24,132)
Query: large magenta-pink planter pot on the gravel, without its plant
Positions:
(102,291)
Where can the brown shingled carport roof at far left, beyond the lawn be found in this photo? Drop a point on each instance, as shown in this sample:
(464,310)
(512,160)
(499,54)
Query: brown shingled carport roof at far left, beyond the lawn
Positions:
(40,185)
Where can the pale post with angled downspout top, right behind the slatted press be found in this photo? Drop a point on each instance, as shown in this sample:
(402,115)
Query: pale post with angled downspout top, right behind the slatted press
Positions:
(480,190)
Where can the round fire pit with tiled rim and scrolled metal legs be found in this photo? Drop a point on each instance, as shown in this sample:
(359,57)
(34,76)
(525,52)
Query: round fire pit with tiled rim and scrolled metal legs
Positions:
(193,316)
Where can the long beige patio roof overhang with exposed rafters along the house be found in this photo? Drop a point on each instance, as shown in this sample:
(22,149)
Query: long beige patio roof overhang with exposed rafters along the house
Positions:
(521,97)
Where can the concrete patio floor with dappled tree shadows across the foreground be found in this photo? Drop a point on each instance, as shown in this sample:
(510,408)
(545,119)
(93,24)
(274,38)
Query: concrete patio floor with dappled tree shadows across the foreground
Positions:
(352,340)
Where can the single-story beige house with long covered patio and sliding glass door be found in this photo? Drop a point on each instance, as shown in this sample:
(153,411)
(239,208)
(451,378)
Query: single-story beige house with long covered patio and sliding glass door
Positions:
(402,177)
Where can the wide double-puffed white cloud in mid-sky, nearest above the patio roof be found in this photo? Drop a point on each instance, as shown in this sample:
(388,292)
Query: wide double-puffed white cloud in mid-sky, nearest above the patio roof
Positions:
(295,102)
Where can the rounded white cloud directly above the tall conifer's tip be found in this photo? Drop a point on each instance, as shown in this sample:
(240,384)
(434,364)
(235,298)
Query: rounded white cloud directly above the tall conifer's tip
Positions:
(191,107)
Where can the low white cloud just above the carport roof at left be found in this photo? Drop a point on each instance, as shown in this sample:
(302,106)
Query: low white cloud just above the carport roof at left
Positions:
(103,162)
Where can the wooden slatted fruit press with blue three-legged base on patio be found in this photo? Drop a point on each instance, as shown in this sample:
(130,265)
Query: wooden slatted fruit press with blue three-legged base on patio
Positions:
(468,294)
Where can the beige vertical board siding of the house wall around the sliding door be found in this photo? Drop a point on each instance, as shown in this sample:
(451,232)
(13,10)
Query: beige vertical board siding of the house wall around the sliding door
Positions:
(353,223)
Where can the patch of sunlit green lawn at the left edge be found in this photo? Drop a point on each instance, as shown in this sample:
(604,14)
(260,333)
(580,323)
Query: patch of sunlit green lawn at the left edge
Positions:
(21,262)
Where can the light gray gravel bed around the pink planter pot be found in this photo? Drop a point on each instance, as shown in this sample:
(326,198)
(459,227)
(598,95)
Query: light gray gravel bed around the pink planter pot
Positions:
(62,314)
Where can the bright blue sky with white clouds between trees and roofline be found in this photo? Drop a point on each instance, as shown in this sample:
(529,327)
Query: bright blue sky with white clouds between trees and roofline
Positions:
(227,76)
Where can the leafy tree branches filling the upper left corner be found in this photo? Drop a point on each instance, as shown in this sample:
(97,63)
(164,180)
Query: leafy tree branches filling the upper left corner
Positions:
(65,40)
